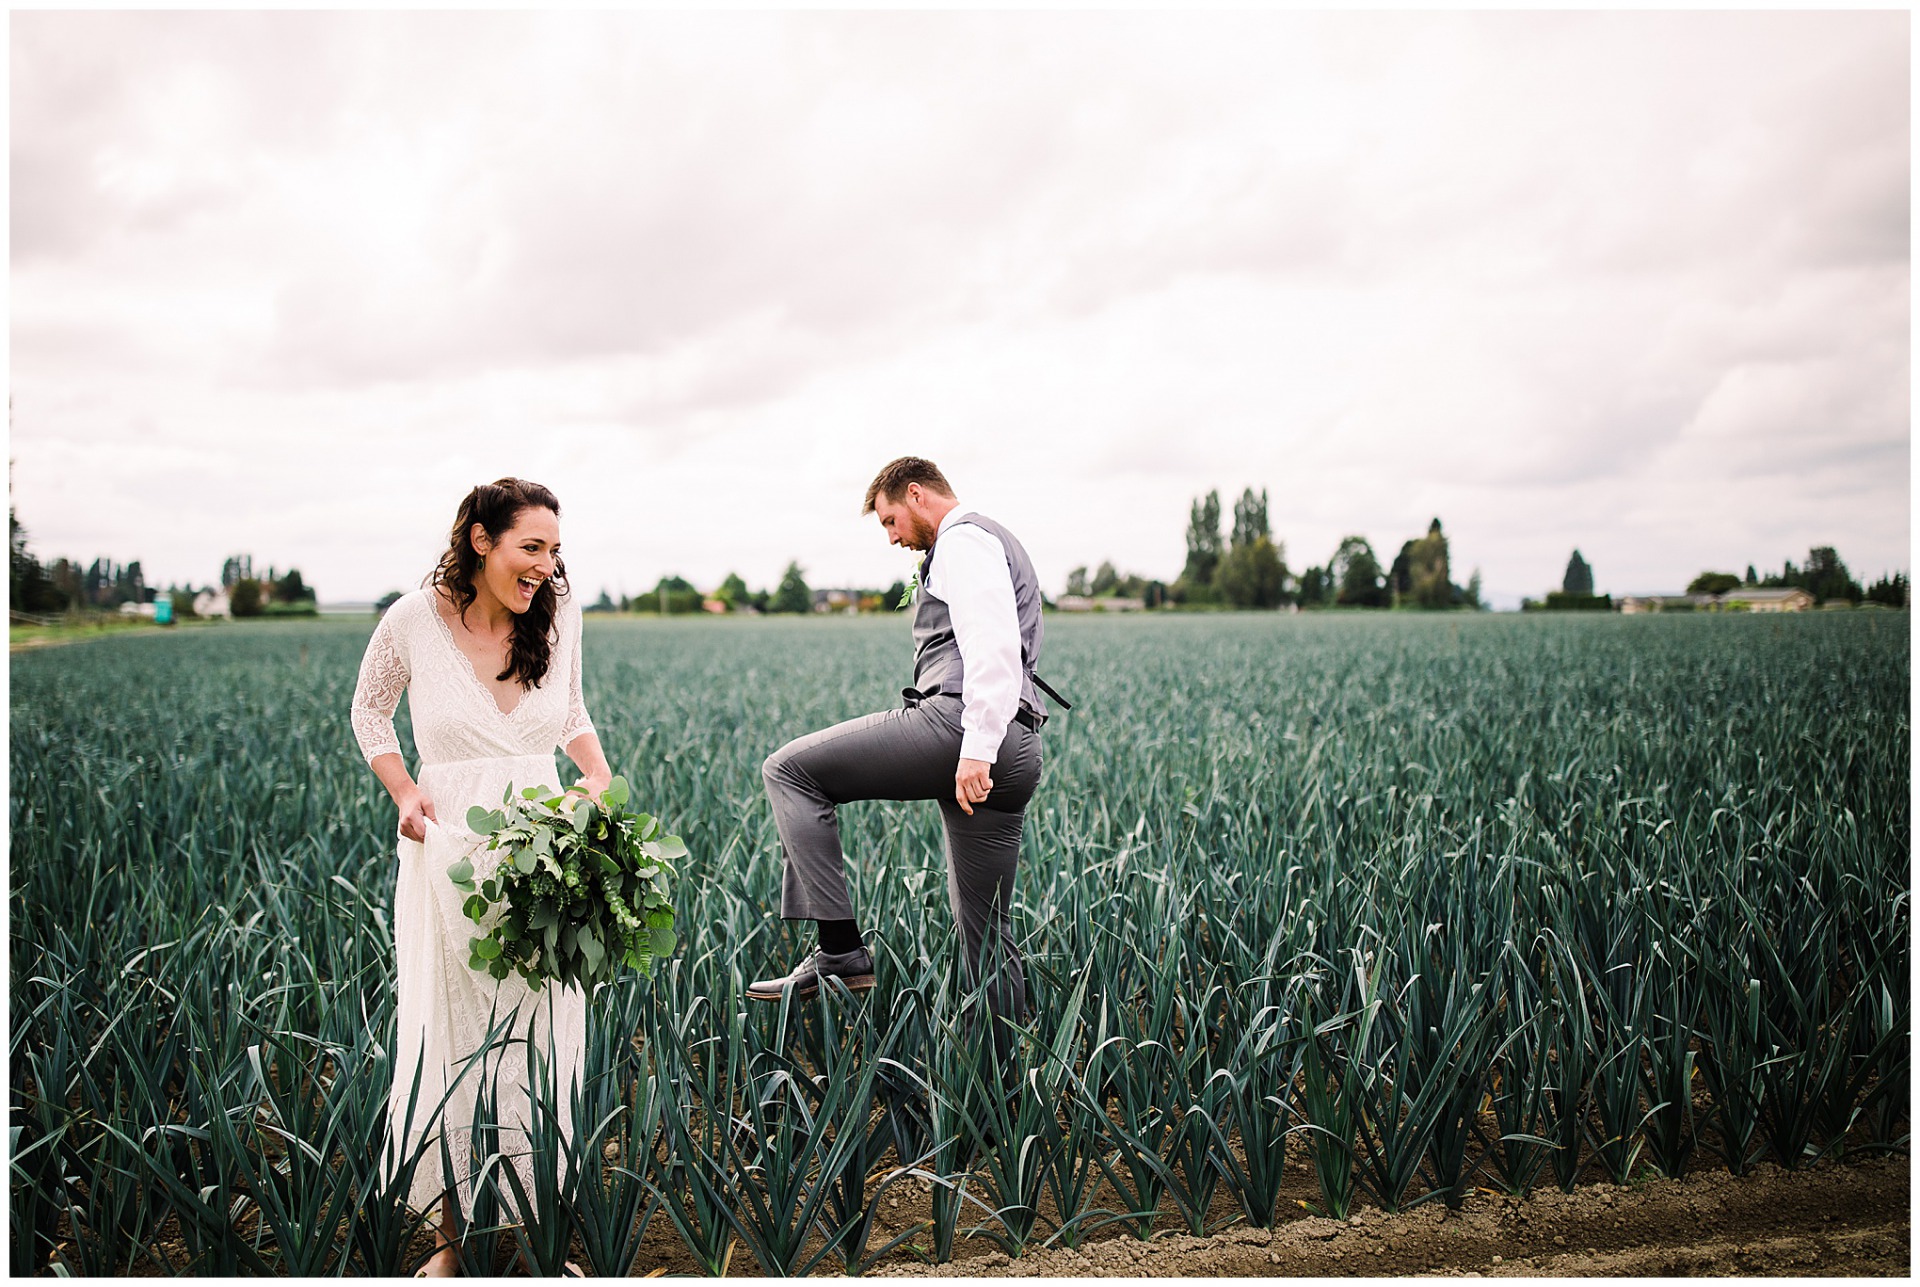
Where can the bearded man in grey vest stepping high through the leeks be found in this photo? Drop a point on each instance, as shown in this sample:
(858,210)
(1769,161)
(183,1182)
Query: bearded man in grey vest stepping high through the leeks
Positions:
(969,739)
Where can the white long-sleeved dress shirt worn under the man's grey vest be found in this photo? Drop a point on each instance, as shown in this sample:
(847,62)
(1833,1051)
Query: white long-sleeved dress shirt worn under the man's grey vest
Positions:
(974,583)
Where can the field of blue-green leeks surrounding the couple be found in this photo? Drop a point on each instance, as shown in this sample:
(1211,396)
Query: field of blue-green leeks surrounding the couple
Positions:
(1424,904)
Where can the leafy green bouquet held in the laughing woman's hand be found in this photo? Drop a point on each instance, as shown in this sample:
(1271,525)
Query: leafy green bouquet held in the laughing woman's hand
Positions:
(581,890)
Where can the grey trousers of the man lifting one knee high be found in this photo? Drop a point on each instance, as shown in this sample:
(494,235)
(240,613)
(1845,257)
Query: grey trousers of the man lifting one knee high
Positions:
(911,754)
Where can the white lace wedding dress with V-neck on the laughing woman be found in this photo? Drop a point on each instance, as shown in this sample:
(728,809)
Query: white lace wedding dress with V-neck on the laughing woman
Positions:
(471,752)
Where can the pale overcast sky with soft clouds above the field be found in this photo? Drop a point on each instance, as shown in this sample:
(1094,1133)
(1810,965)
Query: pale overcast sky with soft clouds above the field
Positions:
(291,285)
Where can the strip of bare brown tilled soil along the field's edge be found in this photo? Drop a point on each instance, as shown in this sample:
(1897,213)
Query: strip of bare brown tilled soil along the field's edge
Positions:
(1827,1221)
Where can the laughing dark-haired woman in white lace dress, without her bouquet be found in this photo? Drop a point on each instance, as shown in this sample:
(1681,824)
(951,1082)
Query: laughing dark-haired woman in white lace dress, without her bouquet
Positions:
(489,652)
